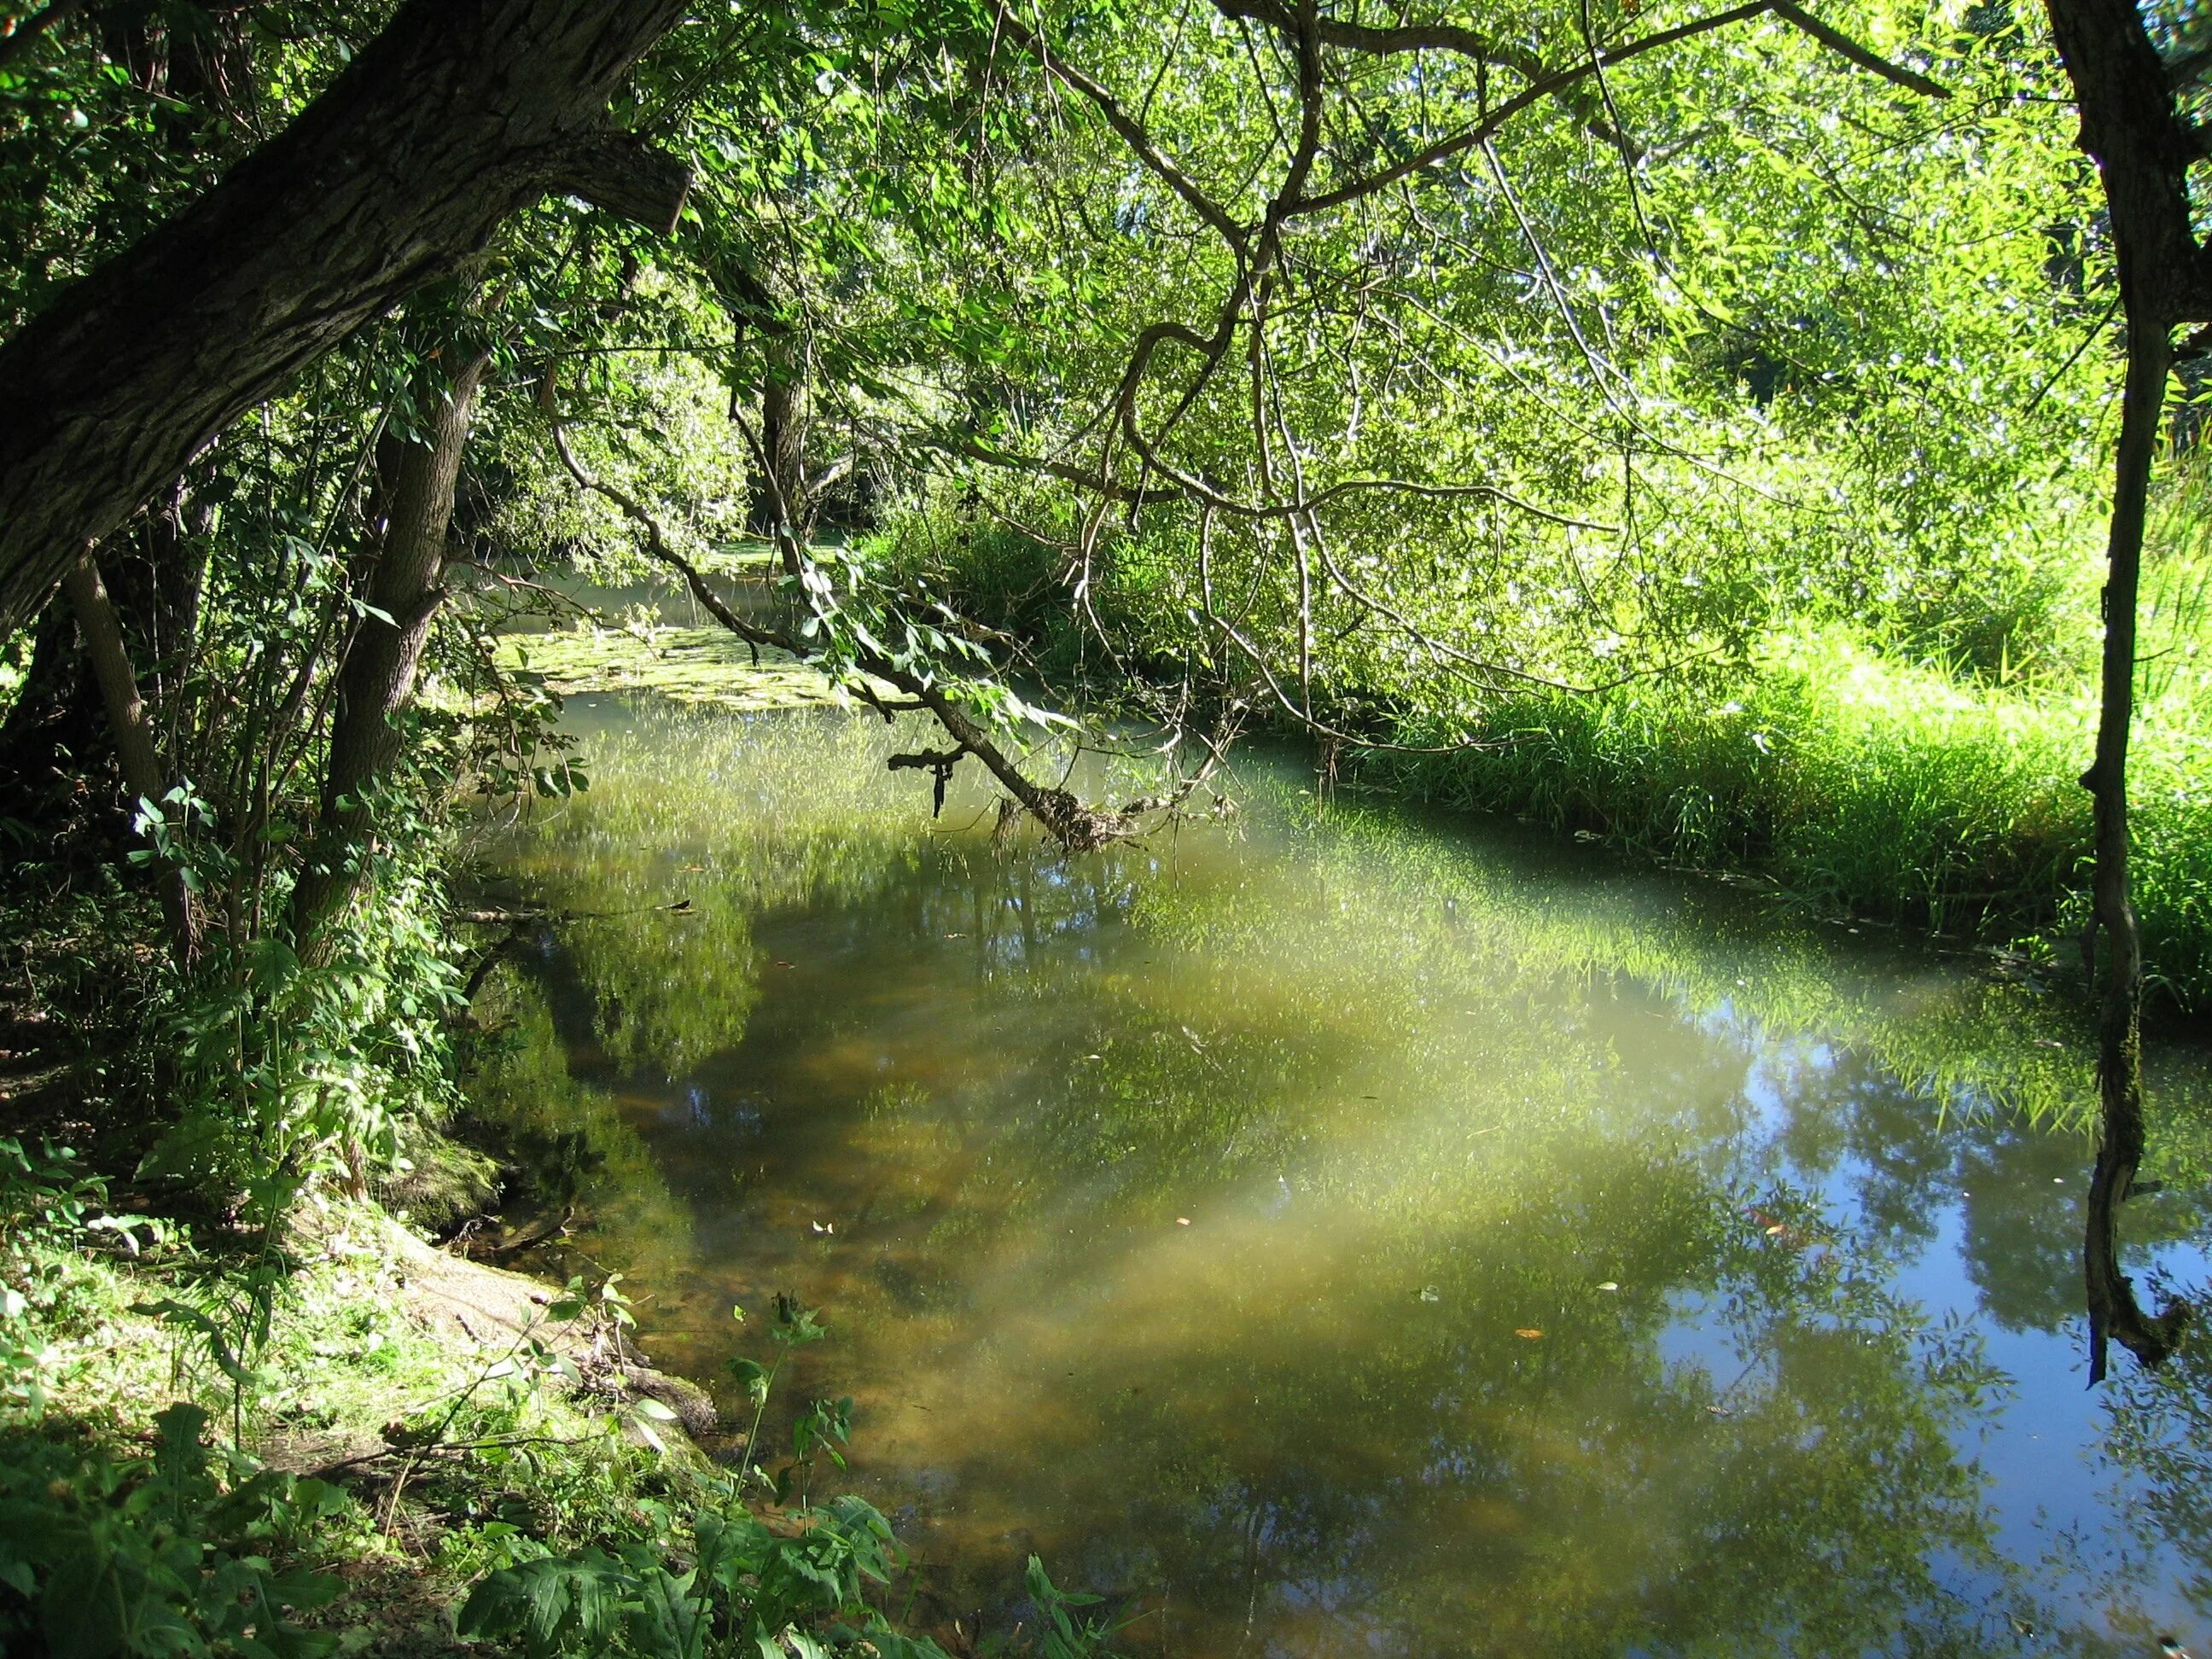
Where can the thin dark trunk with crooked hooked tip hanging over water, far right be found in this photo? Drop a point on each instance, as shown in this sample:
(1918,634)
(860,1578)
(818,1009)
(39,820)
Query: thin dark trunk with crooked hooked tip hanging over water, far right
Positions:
(2142,147)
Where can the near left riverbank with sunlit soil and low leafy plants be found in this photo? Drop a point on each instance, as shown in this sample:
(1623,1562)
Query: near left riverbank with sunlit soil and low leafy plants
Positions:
(333,1434)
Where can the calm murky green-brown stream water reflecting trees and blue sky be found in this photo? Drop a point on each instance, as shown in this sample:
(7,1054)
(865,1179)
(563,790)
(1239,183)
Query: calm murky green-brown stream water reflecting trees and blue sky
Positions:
(1346,1233)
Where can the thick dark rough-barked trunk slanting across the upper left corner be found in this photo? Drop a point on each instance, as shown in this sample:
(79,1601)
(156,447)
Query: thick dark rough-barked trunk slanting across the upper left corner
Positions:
(455,118)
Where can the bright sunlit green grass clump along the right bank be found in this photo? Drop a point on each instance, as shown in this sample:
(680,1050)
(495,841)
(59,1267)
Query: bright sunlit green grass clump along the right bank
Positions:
(1859,786)
